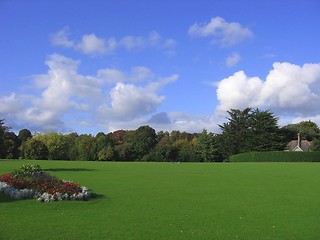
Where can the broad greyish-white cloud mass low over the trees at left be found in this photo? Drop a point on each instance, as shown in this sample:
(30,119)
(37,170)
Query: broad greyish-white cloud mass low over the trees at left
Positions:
(109,96)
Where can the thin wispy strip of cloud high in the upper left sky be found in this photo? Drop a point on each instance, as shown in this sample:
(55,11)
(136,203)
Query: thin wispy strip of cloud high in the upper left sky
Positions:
(93,45)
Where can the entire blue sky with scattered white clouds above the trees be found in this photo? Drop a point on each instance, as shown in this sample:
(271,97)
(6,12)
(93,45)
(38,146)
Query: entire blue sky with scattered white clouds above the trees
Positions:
(90,66)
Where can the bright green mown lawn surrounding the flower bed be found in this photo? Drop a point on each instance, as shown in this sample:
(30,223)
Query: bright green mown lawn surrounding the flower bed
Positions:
(172,201)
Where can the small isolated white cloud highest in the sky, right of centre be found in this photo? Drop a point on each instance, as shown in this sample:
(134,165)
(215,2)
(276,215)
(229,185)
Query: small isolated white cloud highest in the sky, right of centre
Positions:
(222,32)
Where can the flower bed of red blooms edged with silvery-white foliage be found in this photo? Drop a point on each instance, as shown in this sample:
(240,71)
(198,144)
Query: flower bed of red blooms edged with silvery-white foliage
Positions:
(30,181)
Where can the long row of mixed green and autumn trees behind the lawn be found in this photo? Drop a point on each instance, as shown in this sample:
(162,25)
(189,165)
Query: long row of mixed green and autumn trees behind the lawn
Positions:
(245,131)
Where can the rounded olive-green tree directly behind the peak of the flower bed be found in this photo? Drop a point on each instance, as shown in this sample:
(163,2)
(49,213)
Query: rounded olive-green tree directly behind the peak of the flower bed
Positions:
(35,149)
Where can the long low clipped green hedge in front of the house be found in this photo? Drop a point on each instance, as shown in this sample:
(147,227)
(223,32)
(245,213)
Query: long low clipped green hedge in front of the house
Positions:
(276,156)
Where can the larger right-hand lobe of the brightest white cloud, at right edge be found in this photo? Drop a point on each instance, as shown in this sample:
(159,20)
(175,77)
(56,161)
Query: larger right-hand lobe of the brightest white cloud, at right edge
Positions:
(293,88)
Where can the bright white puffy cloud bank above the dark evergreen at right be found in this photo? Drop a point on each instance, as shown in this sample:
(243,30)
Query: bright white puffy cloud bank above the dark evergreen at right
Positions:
(287,89)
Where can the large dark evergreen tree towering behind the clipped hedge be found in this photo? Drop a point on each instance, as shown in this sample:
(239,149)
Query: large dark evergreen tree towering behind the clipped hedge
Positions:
(250,130)
